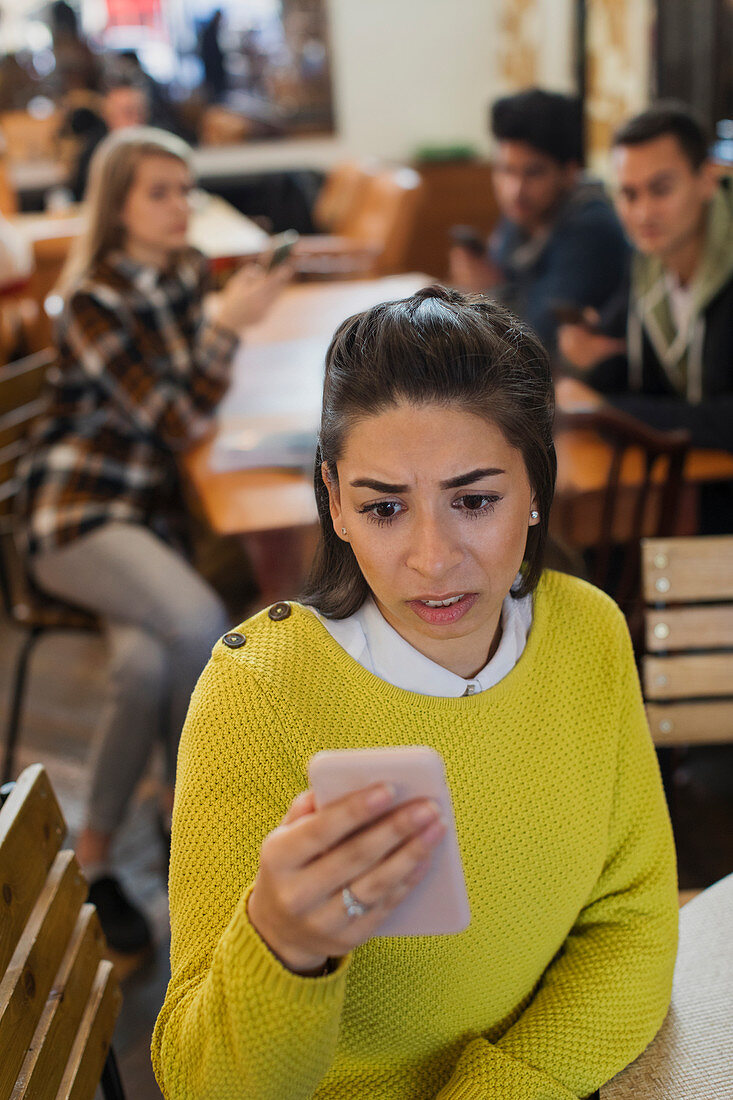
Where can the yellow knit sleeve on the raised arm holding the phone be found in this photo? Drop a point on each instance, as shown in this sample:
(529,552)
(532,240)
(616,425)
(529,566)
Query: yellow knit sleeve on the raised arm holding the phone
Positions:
(235,1024)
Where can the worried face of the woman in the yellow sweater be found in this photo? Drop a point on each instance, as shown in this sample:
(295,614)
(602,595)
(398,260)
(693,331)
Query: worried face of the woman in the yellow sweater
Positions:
(436,504)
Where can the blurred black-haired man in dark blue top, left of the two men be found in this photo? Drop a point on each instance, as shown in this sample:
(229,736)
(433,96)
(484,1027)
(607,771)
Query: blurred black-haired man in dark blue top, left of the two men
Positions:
(559,245)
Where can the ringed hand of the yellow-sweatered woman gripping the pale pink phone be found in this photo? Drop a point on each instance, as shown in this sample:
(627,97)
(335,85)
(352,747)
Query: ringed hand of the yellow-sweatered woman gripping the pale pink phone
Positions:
(357,842)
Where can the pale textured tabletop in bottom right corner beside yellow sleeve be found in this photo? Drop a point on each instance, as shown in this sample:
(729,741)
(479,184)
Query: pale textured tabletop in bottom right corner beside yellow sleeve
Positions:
(692,1057)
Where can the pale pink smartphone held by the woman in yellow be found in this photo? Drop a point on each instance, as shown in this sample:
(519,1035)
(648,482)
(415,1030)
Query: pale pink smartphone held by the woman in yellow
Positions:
(437,906)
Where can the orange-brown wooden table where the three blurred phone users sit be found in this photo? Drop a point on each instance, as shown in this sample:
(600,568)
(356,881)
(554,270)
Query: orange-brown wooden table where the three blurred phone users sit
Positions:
(278,377)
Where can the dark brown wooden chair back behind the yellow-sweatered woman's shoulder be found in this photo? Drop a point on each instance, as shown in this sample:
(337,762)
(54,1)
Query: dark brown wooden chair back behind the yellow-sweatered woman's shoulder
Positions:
(642,497)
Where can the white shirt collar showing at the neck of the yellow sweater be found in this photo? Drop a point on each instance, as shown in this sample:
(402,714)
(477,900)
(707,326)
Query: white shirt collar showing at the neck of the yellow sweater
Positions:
(370,641)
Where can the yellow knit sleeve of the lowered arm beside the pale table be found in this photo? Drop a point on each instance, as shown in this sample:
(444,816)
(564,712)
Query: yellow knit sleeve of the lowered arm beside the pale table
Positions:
(605,996)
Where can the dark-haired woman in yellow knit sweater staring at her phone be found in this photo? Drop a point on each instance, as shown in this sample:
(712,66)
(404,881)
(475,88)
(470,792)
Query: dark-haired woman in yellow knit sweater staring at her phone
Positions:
(428,621)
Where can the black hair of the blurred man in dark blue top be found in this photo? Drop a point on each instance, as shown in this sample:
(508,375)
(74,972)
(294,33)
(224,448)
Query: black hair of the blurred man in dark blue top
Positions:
(549,122)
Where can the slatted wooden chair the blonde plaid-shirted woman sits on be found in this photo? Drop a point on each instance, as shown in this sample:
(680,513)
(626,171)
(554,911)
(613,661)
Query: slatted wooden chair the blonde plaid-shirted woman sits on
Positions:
(21,402)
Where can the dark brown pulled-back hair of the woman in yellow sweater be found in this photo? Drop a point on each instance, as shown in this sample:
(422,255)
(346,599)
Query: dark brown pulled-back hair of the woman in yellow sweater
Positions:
(437,347)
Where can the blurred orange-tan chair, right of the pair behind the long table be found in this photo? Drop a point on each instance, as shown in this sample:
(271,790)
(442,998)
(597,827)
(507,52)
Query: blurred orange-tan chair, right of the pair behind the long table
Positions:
(376,239)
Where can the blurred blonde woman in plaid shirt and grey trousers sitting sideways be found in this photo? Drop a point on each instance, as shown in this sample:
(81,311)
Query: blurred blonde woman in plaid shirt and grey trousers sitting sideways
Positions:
(144,361)
